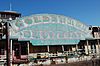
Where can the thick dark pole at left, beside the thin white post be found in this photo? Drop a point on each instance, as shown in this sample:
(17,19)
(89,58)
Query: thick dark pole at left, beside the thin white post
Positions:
(7,44)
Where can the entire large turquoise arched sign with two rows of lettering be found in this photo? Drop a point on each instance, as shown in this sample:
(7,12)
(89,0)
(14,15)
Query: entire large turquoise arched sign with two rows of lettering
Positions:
(49,29)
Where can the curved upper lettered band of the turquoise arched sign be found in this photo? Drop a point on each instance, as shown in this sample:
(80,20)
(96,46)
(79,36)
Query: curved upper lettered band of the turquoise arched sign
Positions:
(24,22)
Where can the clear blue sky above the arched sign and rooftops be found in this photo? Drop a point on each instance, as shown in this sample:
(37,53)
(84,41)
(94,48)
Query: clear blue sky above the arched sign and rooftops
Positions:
(87,11)
